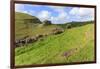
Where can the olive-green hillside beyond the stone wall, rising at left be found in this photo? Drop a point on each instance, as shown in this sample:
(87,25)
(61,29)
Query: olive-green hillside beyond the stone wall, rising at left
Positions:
(23,29)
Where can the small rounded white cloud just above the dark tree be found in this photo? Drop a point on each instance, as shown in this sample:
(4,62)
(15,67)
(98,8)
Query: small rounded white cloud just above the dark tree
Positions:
(44,15)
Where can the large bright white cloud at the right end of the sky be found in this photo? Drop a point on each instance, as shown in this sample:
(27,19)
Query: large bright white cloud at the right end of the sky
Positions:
(83,14)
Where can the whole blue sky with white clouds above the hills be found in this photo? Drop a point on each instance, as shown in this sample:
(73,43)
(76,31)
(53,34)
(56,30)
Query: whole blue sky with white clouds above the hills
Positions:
(56,14)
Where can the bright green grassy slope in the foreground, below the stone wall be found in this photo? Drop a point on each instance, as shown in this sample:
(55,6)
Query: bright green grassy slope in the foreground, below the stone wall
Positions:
(51,49)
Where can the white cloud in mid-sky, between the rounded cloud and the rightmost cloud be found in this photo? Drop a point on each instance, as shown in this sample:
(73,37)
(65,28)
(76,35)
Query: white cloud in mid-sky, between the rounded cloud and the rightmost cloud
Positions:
(62,16)
